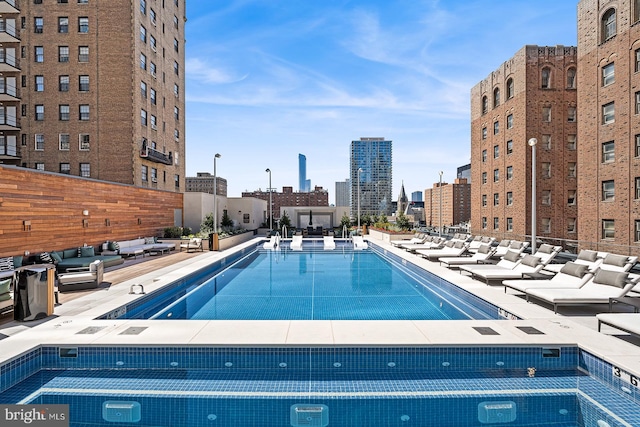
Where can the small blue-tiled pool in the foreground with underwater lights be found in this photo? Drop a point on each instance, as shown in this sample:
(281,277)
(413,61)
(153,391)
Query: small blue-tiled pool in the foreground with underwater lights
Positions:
(205,386)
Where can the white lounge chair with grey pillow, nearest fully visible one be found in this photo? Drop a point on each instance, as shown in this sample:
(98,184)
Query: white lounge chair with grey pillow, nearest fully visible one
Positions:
(602,287)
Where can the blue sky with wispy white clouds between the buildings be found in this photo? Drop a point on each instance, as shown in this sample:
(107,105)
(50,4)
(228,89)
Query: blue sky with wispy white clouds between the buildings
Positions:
(268,79)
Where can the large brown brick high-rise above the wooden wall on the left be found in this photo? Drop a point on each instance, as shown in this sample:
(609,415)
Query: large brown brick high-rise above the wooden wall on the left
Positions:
(102,90)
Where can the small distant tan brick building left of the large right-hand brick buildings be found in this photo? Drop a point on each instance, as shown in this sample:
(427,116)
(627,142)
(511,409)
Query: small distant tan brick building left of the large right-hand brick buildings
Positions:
(456,203)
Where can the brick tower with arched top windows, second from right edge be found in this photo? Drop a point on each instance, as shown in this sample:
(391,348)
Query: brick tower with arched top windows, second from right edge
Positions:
(532,95)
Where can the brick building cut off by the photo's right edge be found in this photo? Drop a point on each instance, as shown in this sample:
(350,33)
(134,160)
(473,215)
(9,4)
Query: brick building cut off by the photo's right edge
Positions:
(609,124)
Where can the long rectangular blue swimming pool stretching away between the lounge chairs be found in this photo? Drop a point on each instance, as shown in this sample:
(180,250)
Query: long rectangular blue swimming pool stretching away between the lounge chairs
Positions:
(311,285)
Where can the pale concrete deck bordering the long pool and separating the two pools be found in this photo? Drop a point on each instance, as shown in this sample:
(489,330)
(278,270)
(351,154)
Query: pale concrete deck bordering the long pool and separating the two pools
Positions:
(68,326)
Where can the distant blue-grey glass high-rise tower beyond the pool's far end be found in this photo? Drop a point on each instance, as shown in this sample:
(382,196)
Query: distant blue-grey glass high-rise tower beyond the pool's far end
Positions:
(371,176)
